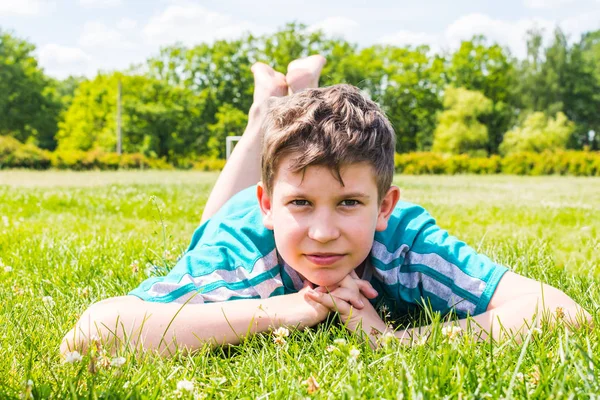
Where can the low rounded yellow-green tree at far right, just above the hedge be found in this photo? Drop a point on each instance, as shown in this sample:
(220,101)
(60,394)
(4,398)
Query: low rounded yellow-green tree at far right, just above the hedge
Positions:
(538,133)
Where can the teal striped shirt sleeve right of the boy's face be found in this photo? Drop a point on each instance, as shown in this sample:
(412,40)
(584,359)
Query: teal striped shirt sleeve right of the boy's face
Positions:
(420,263)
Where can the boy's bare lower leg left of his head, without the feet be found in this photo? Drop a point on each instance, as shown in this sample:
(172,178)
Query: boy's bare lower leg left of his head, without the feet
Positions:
(242,169)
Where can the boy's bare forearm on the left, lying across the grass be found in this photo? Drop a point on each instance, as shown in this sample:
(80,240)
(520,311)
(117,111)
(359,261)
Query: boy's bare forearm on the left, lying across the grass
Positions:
(168,326)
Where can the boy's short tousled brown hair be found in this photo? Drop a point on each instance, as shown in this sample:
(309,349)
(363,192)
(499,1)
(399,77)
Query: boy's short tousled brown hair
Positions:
(333,127)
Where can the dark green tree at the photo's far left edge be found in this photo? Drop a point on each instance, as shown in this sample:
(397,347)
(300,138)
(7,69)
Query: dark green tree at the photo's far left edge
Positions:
(28,106)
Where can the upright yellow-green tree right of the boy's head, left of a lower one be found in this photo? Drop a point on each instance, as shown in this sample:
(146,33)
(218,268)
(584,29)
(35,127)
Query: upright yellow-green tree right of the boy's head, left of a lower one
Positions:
(459,130)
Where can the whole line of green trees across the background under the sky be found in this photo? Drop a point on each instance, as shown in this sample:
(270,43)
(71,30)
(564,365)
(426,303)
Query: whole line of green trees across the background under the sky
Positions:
(182,102)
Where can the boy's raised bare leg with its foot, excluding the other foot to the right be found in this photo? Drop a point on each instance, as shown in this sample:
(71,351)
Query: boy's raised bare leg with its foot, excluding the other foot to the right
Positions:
(243,167)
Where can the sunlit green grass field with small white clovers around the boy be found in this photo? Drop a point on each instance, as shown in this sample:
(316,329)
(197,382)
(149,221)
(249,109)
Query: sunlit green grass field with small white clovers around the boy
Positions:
(70,239)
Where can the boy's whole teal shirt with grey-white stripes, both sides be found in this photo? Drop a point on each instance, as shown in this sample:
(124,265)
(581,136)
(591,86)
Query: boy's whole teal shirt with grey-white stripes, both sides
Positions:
(413,262)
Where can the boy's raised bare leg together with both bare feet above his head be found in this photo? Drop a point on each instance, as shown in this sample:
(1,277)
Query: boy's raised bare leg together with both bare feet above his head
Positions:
(243,167)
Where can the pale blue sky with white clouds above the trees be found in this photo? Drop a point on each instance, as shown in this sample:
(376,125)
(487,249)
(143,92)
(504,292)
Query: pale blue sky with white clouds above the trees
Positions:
(80,37)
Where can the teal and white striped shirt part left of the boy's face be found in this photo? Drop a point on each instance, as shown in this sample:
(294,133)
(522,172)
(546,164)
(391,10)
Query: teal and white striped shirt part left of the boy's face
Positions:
(232,256)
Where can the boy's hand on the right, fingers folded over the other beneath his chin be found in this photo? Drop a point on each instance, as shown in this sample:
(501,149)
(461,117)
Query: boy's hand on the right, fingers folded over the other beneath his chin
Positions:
(349,300)
